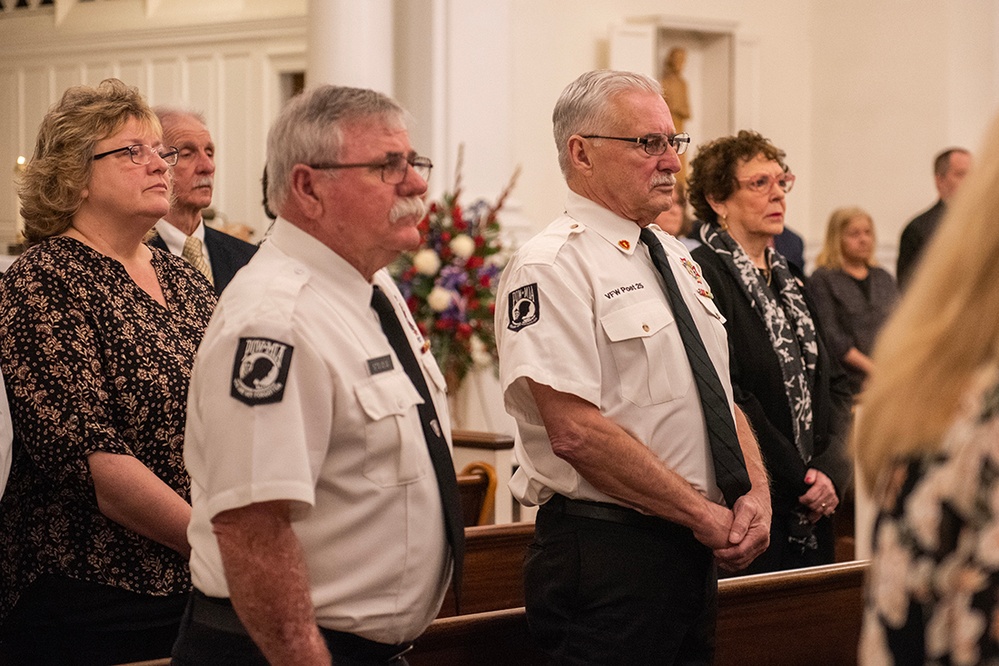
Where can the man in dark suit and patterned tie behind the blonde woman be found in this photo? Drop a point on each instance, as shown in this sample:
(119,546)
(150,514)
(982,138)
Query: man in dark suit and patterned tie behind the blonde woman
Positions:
(183,232)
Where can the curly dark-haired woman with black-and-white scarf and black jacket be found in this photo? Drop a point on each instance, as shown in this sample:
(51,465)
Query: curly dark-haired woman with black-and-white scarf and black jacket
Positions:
(794,395)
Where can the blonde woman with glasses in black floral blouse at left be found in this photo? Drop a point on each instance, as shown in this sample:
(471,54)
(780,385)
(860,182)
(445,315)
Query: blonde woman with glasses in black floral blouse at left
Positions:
(97,339)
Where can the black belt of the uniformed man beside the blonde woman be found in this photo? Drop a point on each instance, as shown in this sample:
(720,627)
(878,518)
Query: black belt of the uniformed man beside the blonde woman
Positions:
(219,614)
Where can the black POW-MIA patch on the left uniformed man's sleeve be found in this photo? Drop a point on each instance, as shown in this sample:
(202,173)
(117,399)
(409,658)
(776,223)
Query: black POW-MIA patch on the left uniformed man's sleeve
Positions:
(260,372)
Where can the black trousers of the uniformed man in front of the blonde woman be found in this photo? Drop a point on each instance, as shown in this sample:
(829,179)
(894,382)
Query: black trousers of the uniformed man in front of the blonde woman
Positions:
(211,634)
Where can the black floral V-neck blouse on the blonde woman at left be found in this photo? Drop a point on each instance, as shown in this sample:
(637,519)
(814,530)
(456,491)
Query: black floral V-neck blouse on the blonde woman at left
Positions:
(92,363)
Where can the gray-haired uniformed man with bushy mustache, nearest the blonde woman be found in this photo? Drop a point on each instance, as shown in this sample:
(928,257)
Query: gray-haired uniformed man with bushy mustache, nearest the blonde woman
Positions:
(325,518)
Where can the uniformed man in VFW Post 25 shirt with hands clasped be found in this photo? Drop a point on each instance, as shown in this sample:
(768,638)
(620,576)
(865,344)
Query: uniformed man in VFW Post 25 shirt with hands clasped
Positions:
(616,444)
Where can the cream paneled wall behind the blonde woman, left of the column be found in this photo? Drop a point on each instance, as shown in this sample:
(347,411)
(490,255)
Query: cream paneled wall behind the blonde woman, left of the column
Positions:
(228,70)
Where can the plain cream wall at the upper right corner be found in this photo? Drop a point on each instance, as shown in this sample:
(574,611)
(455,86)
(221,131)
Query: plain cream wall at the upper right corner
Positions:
(884,106)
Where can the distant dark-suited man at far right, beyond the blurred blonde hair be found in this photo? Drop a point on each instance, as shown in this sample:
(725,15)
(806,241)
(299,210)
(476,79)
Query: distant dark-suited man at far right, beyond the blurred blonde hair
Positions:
(949,169)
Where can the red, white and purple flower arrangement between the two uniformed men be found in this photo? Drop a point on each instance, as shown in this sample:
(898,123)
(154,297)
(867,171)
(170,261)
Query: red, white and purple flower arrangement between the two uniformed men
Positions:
(450,282)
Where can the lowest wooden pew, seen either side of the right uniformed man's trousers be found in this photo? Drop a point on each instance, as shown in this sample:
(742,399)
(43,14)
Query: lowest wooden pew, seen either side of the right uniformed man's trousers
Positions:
(809,616)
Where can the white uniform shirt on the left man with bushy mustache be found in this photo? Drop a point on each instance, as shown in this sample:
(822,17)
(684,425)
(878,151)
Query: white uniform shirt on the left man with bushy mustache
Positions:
(327,418)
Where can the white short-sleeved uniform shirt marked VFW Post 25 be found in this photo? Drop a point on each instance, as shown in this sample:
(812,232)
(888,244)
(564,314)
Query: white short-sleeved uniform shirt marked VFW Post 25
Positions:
(581,308)
